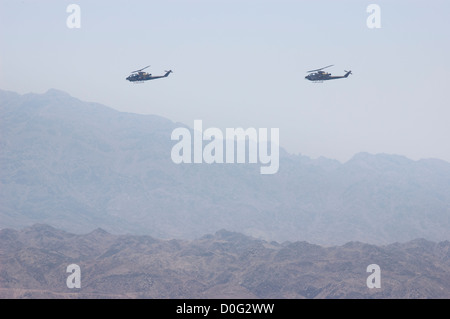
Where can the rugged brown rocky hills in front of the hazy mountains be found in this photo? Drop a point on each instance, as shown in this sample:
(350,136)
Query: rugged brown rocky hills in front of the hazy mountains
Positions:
(34,261)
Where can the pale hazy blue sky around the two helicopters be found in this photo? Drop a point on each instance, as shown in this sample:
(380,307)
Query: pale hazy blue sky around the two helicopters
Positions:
(242,64)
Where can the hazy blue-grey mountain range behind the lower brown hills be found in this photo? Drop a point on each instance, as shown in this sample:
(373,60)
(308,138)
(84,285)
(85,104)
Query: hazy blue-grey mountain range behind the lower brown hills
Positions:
(79,166)
